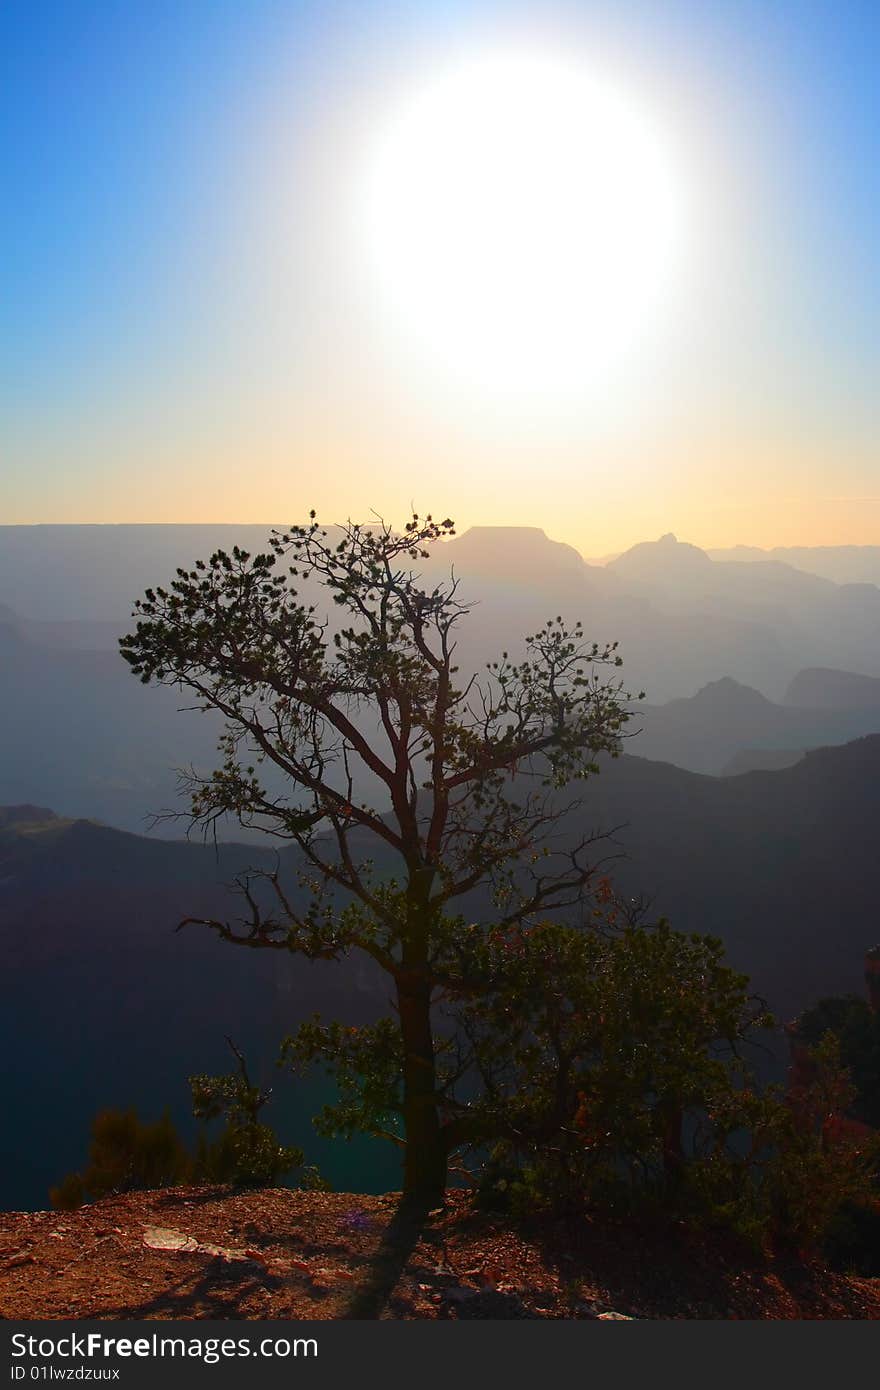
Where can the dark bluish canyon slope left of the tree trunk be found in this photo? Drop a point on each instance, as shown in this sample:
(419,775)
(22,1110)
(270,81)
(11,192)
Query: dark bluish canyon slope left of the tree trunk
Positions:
(108,1006)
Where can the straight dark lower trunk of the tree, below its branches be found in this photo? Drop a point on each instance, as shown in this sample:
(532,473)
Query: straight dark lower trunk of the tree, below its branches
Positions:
(425,1167)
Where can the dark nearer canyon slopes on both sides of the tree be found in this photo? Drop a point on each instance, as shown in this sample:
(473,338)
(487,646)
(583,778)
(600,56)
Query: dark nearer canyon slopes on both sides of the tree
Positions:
(109,1006)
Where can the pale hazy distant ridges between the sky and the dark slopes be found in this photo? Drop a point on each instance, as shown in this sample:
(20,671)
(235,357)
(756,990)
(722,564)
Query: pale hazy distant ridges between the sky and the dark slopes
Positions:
(717,647)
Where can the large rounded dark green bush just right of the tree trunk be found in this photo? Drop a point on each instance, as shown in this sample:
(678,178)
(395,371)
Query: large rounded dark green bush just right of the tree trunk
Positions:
(601,1052)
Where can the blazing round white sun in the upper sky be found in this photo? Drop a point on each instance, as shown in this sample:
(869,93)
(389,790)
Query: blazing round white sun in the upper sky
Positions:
(525,224)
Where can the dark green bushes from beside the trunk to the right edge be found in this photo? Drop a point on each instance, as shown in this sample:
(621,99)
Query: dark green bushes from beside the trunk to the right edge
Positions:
(615,1078)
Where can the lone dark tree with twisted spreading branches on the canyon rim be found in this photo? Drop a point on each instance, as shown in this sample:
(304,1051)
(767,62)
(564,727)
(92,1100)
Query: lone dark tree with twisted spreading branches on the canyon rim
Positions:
(466,772)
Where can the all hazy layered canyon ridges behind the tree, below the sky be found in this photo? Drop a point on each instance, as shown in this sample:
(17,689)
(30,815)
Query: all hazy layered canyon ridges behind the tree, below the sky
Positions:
(109,1006)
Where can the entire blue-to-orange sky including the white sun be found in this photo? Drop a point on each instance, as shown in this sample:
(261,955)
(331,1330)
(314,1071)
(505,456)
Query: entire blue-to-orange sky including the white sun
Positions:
(213,308)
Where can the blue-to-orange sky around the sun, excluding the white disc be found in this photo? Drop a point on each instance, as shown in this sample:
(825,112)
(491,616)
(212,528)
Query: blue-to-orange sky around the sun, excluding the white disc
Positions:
(184,336)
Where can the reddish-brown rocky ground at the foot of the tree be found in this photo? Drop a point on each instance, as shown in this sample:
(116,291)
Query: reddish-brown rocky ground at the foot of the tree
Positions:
(209,1253)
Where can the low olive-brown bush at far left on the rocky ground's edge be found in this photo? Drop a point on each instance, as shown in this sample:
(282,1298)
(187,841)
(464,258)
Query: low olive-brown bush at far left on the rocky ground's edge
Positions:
(126,1156)
